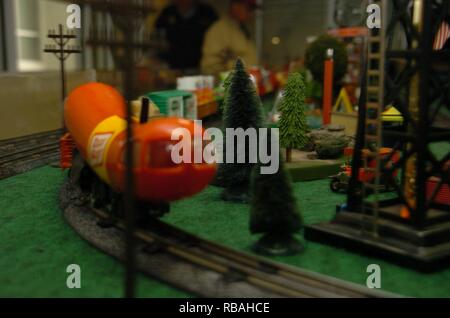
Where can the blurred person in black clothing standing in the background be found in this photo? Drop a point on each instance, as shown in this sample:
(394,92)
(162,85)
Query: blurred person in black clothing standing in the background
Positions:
(183,24)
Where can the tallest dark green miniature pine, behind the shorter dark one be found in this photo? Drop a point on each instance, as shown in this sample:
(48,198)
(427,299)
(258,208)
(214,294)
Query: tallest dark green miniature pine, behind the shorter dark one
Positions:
(242,109)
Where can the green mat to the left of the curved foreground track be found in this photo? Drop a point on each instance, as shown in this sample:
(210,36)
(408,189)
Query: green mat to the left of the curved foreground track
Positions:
(37,245)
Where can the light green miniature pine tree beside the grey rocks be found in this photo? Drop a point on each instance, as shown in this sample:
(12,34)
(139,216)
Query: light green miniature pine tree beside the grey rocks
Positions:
(293,125)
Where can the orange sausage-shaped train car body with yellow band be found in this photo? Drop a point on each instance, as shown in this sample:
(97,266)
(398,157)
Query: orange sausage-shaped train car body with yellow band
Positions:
(94,114)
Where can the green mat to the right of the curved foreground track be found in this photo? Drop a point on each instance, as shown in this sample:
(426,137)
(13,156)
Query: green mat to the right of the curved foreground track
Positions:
(227,223)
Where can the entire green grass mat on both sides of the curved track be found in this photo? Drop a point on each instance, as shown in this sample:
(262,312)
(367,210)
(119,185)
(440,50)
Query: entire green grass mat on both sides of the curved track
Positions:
(37,245)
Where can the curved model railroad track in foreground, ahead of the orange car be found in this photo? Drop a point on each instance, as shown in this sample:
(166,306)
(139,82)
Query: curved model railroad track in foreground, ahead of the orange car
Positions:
(279,279)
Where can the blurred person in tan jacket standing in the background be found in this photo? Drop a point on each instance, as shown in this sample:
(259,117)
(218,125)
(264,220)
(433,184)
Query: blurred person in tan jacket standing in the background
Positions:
(228,39)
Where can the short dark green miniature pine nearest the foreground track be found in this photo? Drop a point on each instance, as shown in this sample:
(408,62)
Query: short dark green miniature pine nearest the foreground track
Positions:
(274,213)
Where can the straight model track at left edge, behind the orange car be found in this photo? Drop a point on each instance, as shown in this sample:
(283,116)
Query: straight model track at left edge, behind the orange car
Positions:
(24,153)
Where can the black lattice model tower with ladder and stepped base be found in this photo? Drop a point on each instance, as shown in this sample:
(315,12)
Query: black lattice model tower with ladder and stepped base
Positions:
(412,225)
